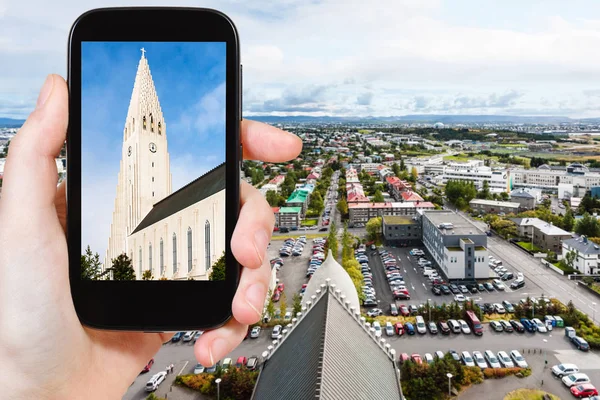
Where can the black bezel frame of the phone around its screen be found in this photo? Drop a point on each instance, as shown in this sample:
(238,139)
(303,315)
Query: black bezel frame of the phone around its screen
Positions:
(153,306)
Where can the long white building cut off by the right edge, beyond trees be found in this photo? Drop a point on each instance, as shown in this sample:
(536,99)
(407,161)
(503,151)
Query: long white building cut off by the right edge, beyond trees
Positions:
(548,178)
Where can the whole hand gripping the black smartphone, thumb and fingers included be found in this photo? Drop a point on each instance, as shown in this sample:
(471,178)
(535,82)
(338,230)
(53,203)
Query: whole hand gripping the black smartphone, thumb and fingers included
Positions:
(45,352)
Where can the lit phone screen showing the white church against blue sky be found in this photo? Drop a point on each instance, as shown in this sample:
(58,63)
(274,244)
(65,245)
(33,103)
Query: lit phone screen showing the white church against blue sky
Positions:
(153,160)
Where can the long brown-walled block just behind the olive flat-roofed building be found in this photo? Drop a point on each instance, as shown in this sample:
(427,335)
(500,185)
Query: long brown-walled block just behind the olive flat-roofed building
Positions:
(361,213)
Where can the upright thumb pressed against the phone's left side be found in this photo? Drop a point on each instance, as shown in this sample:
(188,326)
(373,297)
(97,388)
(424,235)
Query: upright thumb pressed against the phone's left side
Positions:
(30,174)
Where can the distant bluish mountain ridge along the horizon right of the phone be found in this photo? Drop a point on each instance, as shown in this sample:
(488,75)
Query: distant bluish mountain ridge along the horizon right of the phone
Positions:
(426,118)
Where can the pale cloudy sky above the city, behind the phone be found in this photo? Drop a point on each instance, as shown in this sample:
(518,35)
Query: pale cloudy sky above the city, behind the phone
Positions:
(358,58)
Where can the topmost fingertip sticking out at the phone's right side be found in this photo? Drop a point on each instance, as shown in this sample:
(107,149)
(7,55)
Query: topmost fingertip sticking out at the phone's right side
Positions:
(267,143)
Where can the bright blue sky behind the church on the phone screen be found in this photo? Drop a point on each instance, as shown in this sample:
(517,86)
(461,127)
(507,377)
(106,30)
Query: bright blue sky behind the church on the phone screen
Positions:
(190,83)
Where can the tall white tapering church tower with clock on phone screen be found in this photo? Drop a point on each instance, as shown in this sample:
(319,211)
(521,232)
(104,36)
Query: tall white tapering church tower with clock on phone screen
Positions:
(145,176)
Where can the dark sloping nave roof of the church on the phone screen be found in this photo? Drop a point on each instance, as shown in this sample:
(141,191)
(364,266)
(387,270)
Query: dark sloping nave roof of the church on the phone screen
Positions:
(208,184)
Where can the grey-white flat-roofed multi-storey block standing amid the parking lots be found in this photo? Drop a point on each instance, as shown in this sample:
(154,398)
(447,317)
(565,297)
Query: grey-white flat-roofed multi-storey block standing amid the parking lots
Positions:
(457,246)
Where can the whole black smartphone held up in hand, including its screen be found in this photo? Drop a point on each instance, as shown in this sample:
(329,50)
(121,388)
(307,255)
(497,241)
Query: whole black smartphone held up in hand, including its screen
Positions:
(153,171)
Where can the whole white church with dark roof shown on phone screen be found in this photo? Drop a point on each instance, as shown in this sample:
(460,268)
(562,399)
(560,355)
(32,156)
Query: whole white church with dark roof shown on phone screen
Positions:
(175,235)
